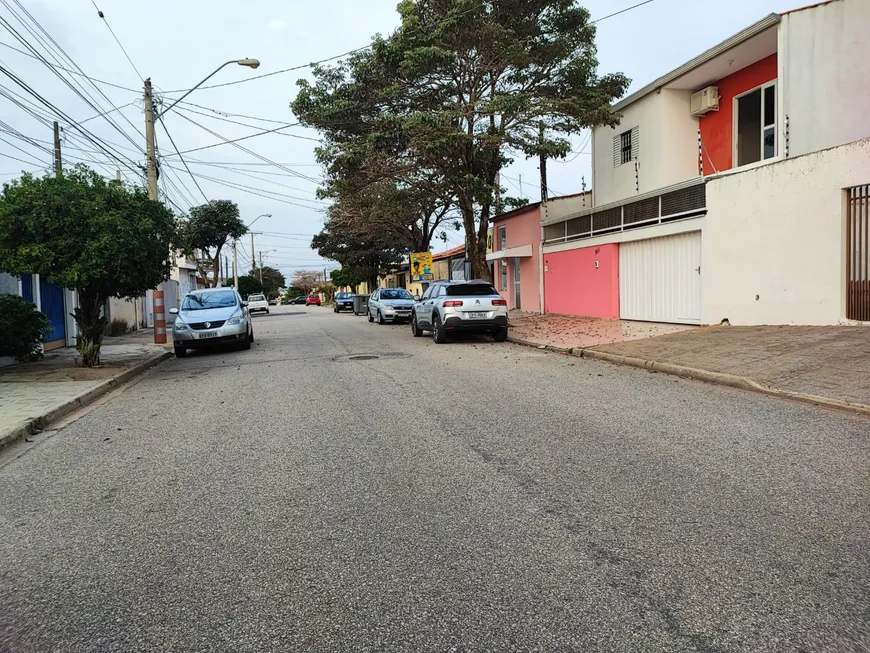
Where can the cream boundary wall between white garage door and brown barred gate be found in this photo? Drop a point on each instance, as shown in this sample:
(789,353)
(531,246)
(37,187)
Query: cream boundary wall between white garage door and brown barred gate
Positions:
(773,250)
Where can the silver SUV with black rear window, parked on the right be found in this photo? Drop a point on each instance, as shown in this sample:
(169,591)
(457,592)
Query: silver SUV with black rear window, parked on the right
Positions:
(452,306)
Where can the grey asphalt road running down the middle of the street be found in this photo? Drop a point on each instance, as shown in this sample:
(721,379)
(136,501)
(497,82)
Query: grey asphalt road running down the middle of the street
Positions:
(464,497)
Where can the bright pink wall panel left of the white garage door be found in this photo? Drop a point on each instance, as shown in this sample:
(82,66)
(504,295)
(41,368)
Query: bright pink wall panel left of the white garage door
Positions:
(574,286)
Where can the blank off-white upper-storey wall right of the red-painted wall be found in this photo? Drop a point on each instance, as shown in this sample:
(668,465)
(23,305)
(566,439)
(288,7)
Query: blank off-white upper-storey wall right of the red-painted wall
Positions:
(824,54)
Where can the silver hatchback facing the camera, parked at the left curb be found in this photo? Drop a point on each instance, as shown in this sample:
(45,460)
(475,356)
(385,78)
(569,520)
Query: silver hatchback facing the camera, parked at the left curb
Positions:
(211,317)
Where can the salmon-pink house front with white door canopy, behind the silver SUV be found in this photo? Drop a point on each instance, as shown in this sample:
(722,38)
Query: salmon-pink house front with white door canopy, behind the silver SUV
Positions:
(522,229)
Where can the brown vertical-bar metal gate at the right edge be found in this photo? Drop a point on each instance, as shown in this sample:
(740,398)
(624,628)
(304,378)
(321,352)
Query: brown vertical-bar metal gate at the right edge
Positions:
(858,254)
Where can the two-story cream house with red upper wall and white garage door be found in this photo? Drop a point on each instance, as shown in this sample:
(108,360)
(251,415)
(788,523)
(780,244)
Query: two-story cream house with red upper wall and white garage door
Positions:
(732,187)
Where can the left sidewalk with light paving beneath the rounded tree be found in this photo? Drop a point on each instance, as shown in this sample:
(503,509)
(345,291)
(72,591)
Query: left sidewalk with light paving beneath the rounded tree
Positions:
(33,395)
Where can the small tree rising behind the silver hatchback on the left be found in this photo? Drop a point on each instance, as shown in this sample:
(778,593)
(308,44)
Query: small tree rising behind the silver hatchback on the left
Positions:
(207,231)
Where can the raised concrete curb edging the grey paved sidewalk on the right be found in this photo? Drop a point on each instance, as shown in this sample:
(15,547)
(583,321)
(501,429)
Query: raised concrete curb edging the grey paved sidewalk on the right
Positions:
(721,379)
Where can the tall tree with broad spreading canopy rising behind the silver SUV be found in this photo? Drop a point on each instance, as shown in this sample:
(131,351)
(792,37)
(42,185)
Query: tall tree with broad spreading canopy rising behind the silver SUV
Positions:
(460,88)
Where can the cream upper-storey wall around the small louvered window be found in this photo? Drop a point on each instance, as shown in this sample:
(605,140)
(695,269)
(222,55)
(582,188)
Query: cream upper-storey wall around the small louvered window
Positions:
(668,152)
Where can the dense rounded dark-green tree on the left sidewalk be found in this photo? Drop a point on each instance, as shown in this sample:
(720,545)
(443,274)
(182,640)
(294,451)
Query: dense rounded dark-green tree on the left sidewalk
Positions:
(101,238)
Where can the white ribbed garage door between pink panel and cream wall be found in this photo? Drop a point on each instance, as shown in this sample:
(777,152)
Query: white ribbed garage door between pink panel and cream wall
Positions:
(660,279)
